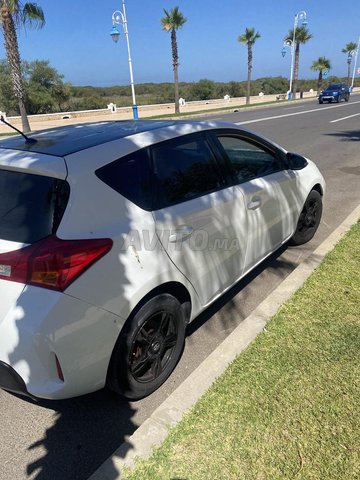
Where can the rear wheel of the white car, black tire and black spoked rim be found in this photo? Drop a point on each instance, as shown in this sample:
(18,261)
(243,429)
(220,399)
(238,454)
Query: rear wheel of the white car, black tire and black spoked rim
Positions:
(148,348)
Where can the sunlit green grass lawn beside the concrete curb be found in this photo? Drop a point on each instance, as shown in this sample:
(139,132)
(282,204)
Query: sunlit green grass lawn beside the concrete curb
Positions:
(289,406)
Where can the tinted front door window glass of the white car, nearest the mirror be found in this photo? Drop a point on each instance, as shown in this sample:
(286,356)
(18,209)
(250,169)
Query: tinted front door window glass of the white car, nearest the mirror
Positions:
(248,160)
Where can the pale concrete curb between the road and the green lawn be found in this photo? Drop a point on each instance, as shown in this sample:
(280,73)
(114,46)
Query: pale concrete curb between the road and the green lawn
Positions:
(156,428)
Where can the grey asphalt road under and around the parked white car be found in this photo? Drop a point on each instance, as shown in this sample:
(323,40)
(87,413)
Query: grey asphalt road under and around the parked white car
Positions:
(70,439)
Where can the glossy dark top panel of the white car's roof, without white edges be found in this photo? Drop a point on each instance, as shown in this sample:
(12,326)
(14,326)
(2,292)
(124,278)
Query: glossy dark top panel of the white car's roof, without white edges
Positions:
(62,141)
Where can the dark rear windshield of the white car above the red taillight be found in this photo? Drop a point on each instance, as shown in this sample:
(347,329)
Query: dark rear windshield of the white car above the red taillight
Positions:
(31,206)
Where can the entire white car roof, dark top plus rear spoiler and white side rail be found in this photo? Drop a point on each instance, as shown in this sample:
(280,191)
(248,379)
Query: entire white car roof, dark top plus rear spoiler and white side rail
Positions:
(59,151)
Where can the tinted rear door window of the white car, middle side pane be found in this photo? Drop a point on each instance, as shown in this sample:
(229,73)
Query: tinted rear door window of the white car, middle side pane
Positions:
(184,169)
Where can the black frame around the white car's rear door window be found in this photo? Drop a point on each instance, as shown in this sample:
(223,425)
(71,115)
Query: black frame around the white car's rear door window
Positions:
(179,140)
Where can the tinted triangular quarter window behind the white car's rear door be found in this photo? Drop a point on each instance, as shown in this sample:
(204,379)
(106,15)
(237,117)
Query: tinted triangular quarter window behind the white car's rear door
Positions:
(130,176)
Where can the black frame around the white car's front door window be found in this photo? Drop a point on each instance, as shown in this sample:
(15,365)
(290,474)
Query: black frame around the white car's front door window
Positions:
(253,140)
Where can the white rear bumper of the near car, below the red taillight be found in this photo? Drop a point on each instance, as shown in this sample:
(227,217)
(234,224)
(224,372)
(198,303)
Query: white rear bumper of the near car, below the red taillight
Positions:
(41,323)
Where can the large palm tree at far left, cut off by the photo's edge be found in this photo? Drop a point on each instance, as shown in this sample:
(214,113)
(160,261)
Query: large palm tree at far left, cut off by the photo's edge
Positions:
(13,14)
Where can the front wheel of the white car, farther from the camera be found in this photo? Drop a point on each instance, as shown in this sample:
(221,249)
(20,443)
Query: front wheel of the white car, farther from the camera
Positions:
(309,219)
